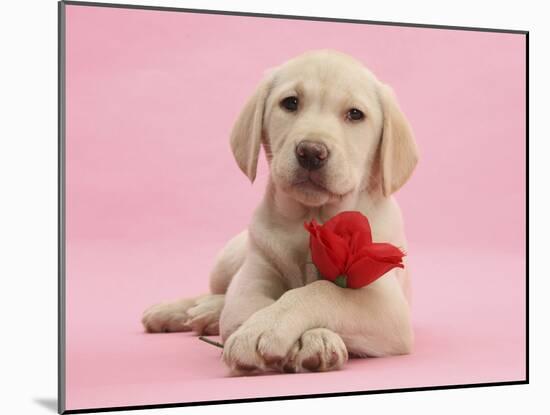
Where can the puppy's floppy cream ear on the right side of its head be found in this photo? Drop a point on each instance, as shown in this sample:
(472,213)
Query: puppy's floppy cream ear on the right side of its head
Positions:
(398,151)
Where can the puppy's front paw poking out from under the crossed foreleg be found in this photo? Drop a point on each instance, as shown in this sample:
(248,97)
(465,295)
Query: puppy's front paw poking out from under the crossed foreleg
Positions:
(317,350)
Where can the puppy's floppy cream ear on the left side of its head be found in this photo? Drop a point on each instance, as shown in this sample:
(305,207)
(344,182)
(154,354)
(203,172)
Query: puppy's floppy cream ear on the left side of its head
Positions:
(246,136)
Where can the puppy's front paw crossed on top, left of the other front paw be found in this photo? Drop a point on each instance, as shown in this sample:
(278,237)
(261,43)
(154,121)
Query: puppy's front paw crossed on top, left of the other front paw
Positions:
(257,346)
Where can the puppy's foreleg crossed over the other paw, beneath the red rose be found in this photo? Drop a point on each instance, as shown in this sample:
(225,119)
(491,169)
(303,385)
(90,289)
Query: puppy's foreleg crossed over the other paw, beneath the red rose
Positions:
(372,321)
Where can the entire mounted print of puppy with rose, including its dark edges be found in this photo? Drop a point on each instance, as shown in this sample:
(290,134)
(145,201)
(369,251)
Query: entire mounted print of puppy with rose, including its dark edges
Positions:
(258,207)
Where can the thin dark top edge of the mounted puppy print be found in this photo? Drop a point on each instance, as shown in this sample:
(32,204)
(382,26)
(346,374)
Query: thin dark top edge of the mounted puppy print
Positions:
(291,17)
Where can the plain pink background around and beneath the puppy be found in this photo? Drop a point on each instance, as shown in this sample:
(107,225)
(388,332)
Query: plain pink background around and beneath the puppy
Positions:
(153,193)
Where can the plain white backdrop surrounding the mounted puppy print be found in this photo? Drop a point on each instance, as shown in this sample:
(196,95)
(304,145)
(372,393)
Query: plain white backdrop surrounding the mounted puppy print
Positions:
(28,183)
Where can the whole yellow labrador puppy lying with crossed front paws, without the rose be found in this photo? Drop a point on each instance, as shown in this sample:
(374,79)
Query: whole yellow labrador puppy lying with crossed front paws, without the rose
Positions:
(335,140)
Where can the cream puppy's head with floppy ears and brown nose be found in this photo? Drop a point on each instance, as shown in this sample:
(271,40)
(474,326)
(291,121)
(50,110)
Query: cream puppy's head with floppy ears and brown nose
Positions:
(329,128)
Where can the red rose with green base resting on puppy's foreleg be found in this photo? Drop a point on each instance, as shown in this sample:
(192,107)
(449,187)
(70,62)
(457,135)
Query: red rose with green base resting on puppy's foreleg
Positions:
(343,251)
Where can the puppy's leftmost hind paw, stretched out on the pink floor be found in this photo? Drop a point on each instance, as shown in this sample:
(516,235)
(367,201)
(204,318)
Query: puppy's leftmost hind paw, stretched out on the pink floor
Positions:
(167,316)
